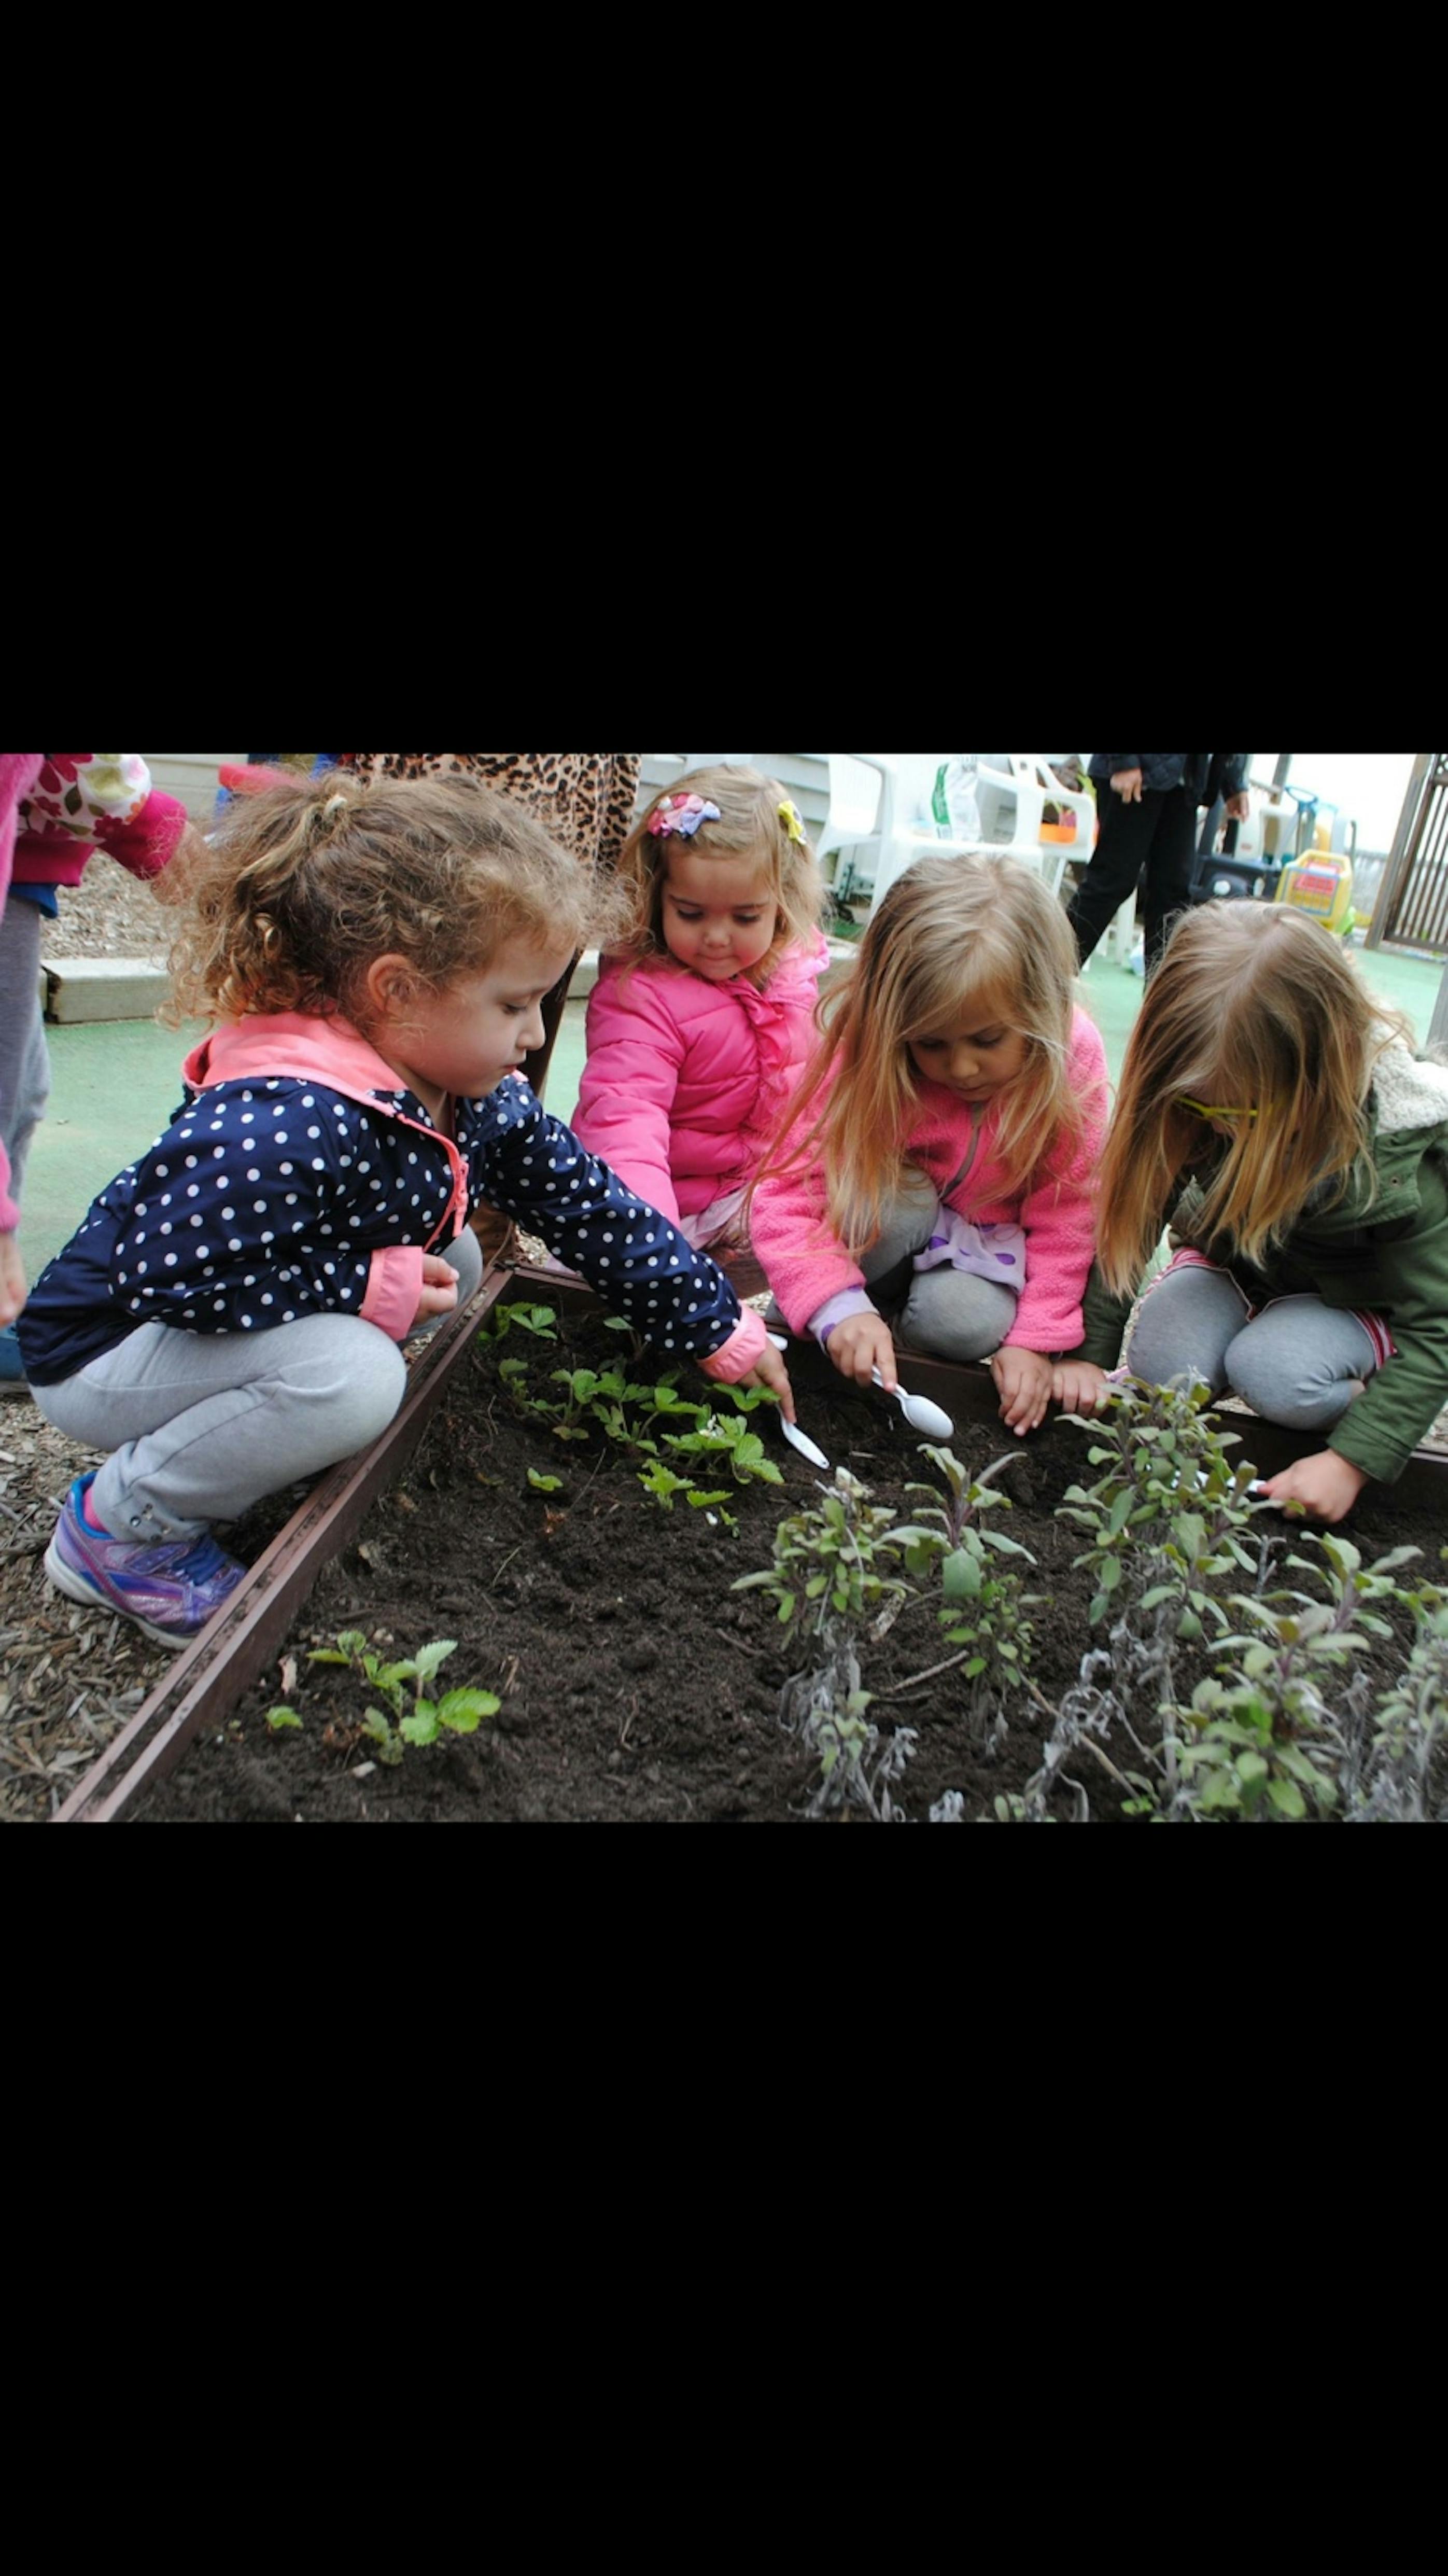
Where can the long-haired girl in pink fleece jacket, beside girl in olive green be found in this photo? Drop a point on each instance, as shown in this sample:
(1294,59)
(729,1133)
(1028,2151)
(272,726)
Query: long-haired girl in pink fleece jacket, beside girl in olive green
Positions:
(944,1142)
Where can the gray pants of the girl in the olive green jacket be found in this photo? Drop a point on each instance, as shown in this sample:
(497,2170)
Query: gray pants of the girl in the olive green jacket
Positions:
(1300,1364)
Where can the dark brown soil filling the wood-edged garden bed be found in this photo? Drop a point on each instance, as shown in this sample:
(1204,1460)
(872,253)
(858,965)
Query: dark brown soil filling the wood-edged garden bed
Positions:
(638,1689)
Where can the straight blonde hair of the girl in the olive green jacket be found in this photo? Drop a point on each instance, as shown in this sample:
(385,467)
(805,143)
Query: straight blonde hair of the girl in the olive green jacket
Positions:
(1256,1011)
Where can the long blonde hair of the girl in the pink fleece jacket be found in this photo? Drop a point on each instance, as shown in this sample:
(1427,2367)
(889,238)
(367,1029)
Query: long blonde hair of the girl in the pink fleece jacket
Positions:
(949,931)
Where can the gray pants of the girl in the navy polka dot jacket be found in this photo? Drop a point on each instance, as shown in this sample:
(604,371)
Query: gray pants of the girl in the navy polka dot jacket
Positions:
(205,1426)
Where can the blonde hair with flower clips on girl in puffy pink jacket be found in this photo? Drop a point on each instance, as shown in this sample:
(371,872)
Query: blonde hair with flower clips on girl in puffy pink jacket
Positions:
(756,820)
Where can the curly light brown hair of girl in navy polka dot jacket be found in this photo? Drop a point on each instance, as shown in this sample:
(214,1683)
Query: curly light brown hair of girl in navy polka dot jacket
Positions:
(305,885)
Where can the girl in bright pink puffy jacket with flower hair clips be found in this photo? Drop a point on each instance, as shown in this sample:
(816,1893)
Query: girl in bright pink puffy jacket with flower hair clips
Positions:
(705,1019)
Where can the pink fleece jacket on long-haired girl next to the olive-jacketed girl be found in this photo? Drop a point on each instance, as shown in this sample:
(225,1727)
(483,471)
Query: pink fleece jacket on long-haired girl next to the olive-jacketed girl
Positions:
(808,1266)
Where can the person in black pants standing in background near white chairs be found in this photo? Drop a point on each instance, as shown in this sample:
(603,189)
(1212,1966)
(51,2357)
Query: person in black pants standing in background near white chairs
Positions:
(1148,831)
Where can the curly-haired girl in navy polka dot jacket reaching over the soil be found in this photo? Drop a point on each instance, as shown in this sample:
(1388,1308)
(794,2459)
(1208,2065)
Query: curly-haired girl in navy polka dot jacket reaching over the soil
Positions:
(231,1315)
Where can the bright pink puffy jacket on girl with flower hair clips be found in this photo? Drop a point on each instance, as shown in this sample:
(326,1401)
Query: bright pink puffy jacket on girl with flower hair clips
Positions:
(687,1081)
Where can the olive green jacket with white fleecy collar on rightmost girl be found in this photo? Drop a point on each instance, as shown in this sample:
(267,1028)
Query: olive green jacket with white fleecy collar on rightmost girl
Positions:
(1382,1251)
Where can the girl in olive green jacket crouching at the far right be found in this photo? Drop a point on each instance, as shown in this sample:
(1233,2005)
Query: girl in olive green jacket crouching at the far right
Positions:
(1279,1122)
